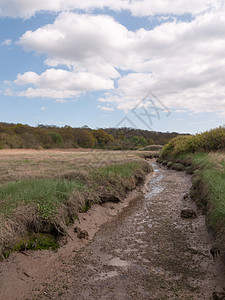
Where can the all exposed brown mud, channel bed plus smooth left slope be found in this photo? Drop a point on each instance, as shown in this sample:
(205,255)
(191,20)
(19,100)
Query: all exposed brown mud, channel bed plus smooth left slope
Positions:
(144,250)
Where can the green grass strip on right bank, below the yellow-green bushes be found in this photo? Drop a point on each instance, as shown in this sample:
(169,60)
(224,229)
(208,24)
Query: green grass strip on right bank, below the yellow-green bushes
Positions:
(209,182)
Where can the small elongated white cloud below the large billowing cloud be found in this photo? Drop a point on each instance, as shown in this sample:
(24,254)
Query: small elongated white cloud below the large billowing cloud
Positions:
(58,83)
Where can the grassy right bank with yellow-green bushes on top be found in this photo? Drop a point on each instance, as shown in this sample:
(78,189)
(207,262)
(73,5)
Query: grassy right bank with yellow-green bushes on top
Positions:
(205,153)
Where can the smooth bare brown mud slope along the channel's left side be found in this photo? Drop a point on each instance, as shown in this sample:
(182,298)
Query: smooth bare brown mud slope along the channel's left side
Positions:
(25,272)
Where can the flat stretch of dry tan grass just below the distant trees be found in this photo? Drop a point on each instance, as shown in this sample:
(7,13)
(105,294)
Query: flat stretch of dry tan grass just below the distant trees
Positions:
(21,164)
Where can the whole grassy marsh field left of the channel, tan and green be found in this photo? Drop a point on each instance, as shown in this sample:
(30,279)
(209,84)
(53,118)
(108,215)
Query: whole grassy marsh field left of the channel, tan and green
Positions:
(42,191)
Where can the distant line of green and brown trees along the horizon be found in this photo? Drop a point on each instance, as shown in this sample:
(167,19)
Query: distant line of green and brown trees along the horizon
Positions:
(50,136)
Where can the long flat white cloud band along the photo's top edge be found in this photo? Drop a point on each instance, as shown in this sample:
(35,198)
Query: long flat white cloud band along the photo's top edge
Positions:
(26,9)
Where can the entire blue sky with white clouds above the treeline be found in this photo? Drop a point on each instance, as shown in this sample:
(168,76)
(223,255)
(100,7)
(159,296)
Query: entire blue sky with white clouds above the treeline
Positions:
(156,65)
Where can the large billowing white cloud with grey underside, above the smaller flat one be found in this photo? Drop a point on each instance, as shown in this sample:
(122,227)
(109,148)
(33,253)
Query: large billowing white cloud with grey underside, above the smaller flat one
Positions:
(94,43)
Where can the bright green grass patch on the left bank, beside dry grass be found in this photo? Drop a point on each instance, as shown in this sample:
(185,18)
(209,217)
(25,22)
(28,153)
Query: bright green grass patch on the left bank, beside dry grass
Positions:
(46,194)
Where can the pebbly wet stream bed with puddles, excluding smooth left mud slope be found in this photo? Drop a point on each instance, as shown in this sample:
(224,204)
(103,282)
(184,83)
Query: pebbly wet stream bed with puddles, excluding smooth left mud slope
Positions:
(146,252)
